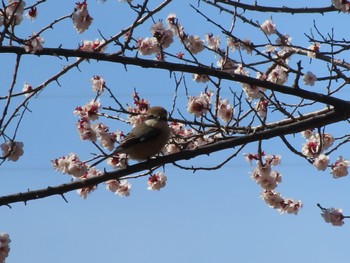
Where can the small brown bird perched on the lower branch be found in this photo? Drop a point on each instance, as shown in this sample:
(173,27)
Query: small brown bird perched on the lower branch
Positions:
(147,138)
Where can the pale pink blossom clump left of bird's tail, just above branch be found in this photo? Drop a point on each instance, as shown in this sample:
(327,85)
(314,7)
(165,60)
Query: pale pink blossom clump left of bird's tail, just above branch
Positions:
(71,165)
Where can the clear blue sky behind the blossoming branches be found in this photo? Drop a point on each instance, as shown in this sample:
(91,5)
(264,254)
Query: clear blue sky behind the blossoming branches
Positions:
(203,217)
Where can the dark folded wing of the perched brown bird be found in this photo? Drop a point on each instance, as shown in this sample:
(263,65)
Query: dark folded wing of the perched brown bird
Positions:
(145,133)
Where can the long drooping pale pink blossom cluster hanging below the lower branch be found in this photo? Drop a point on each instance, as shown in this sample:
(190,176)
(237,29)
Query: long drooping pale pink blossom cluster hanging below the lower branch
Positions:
(268,180)
